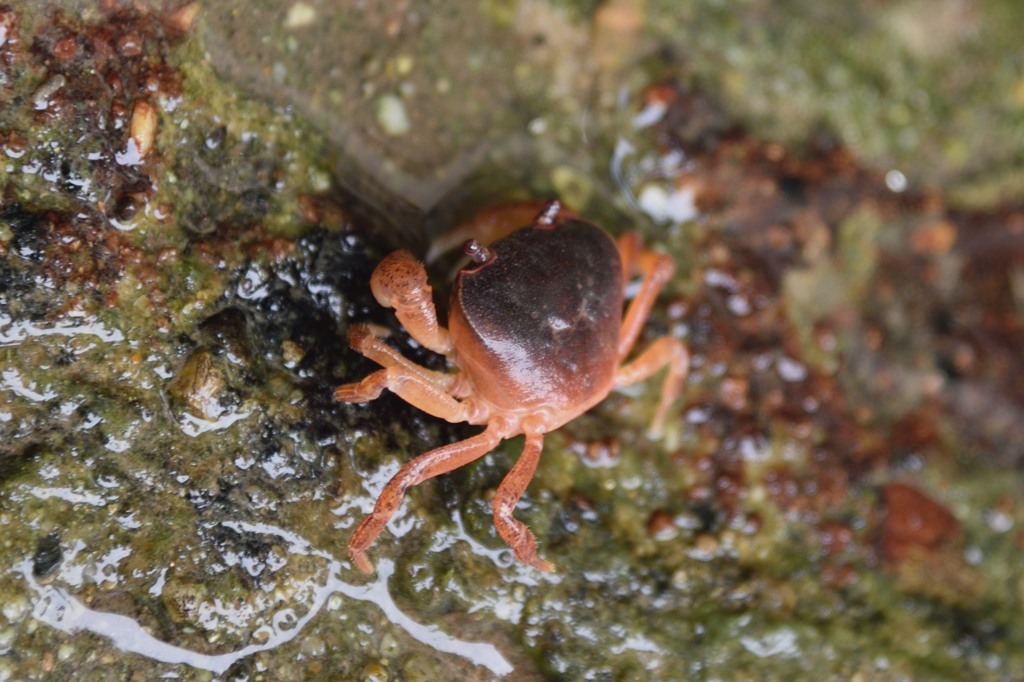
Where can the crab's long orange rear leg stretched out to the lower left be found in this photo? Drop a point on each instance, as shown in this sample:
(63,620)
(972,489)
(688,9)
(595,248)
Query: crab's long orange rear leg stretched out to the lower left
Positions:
(429,465)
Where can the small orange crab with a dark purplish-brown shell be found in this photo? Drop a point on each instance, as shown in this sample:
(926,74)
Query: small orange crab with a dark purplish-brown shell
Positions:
(537,336)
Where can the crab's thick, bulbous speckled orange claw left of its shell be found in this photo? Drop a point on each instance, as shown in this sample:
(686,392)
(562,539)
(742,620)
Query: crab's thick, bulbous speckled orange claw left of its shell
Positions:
(400,282)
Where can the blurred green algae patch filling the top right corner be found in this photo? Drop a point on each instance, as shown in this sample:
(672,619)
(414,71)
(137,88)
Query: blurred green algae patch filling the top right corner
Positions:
(933,92)
